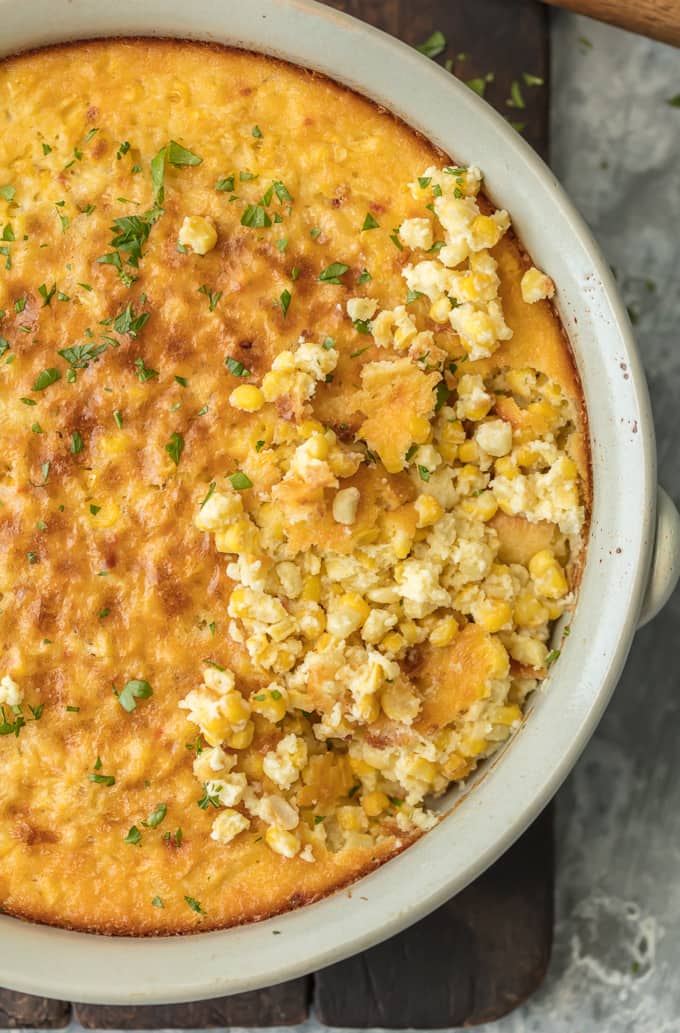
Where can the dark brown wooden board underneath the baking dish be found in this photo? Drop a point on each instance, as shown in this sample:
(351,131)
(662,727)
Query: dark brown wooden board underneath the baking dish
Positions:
(482,954)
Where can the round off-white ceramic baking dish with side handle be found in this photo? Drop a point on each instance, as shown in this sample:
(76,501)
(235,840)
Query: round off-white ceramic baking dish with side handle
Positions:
(634,553)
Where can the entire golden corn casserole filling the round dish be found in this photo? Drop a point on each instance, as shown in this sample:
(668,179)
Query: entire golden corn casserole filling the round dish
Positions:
(295,485)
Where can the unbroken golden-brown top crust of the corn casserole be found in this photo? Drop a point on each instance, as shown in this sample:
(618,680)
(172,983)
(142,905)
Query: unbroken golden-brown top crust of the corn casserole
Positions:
(118,536)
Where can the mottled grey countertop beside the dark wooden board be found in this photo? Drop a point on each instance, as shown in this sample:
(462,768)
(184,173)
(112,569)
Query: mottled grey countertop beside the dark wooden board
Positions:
(616,148)
